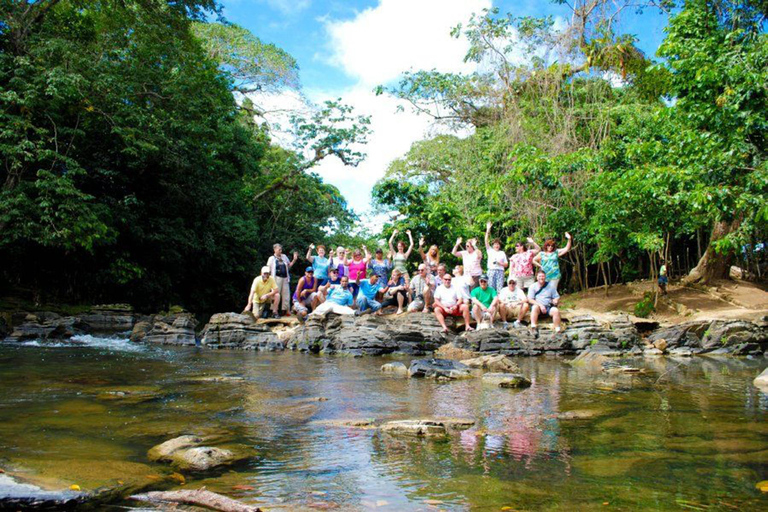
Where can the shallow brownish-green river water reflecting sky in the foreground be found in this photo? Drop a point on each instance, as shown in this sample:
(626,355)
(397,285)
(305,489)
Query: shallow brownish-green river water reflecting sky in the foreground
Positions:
(689,435)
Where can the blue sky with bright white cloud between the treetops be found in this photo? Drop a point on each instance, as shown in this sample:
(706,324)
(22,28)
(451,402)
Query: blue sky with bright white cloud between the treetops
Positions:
(346,48)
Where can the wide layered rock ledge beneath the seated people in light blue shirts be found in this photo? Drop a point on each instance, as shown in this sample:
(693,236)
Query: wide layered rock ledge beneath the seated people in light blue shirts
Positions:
(414,334)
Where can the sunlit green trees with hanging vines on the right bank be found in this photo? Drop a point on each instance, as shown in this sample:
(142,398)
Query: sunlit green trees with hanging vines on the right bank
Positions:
(576,129)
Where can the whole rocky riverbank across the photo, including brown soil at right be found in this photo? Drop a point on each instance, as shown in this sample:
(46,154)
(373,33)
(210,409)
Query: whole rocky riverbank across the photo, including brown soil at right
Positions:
(728,320)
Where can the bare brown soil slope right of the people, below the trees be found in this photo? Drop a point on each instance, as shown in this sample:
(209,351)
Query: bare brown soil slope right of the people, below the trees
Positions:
(725,300)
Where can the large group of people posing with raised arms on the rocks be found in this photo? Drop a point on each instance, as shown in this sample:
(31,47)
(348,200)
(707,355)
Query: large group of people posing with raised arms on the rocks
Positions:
(356,282)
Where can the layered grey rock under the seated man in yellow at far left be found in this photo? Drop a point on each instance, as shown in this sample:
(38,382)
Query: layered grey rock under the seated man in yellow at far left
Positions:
(236,331)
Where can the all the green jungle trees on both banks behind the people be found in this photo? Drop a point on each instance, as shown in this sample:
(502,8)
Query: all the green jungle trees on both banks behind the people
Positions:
(134,170)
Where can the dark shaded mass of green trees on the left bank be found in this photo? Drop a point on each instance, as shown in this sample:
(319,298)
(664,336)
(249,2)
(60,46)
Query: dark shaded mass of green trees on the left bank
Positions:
(129,171)
